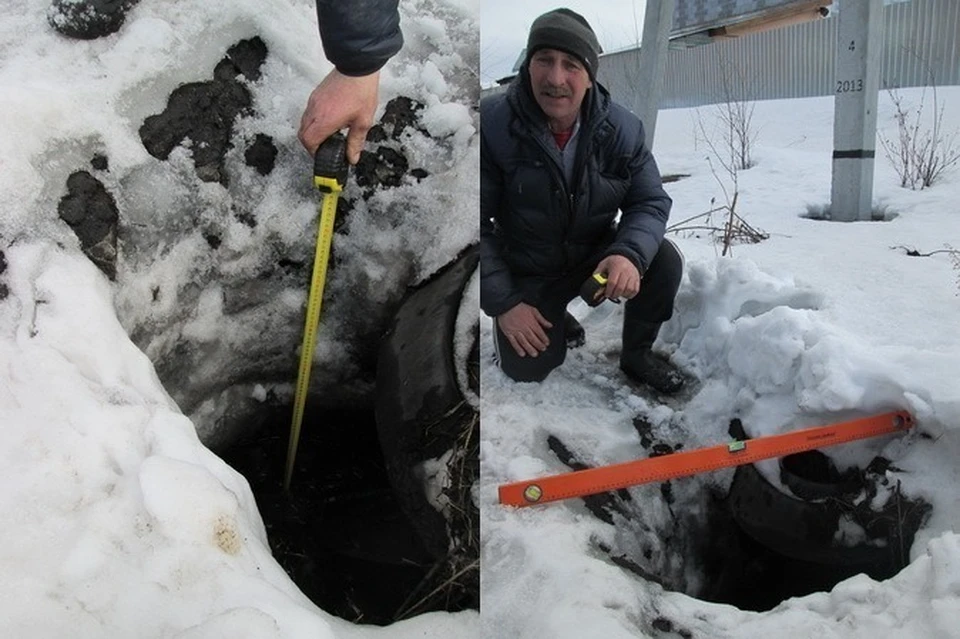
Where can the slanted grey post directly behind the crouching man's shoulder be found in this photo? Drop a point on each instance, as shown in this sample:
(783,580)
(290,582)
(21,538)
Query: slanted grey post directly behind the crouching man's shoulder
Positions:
(657,22)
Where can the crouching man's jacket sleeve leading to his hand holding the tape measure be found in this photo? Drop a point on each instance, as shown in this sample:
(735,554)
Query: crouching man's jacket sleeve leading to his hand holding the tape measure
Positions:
(644,210)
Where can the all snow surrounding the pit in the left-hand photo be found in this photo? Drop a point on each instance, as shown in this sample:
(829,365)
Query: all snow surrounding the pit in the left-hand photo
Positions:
(118,521)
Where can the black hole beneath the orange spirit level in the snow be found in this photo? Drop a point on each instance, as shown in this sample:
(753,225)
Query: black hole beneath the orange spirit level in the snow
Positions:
(764,546)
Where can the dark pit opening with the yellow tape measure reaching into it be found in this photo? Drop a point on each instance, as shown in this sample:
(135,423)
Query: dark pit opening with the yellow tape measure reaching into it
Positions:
(380,523)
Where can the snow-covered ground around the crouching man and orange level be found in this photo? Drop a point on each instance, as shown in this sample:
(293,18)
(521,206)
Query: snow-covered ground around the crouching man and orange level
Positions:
(822,321)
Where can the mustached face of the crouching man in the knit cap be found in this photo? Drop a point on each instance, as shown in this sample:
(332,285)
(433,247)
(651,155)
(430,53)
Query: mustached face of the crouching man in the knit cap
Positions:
(559,82)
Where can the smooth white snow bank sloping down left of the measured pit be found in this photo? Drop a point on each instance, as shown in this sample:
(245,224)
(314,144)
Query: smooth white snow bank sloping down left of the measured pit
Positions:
(119,521)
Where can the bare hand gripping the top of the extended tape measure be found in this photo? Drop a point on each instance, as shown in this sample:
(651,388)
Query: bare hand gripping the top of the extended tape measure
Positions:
(340,101)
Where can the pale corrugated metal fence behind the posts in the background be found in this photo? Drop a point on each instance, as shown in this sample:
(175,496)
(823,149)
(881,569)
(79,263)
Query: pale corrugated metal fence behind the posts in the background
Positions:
(921,47)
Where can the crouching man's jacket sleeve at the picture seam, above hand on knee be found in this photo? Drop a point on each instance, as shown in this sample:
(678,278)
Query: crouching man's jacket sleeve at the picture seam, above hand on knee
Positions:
(498,294)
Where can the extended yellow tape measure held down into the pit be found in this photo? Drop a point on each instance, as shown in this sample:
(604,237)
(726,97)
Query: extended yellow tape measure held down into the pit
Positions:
(329,175)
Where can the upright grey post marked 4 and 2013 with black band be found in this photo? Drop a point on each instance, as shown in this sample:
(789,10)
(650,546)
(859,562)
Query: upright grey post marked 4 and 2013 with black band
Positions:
(859,44)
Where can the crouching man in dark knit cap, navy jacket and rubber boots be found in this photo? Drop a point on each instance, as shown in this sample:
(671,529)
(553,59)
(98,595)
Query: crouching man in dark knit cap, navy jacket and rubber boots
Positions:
(559,159)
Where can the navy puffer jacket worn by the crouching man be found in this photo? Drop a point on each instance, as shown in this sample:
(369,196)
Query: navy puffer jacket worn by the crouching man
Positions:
(534,226)
